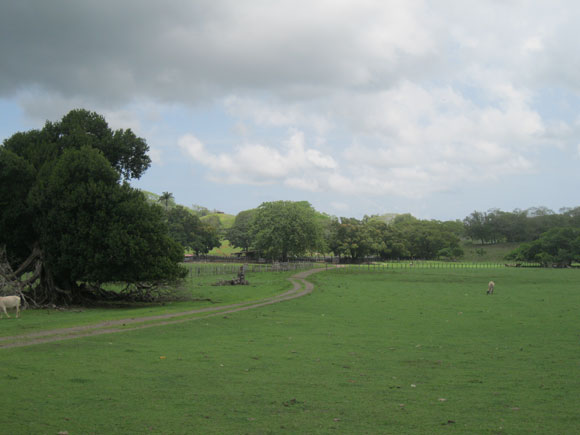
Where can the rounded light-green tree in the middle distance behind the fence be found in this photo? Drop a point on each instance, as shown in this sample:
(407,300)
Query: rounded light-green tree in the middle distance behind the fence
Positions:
(284,229)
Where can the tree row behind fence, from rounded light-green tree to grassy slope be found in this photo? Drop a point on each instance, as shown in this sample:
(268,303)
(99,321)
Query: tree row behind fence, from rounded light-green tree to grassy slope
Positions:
(284,229)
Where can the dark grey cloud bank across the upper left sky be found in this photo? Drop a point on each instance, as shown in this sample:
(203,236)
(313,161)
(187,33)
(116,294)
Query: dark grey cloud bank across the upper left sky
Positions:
(187,51)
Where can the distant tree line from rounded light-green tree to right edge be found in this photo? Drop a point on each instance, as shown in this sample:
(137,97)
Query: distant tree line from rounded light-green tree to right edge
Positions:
(282,229)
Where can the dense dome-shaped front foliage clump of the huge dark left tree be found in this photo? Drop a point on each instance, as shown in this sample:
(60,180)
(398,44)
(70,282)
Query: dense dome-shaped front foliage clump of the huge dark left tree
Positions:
(94,230)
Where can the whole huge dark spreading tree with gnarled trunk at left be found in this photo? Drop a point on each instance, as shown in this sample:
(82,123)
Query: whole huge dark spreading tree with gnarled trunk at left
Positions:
(68,216)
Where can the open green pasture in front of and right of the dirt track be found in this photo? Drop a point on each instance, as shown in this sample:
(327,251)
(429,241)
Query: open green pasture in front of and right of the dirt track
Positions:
(411,351)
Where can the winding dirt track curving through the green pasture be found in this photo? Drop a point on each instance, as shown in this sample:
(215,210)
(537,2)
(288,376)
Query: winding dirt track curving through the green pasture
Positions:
(300,288)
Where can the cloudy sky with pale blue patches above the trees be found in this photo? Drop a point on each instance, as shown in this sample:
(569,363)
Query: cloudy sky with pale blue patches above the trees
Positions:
(361,107)
